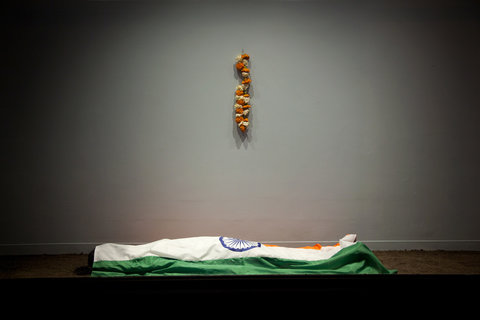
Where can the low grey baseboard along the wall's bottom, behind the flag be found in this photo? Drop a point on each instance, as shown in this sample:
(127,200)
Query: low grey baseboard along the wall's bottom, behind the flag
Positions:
(85,247)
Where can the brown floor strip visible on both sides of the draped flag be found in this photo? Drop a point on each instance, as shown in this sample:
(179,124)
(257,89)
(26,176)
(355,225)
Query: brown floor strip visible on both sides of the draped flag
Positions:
(406,262)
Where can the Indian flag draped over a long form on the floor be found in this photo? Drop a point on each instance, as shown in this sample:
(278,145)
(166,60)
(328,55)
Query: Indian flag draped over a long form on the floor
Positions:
(230,256)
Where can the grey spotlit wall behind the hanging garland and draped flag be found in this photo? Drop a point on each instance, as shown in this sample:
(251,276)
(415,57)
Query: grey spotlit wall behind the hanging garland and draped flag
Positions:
(117,124)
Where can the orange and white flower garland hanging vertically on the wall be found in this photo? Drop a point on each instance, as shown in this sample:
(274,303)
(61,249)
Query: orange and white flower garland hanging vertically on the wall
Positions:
(242,98)
